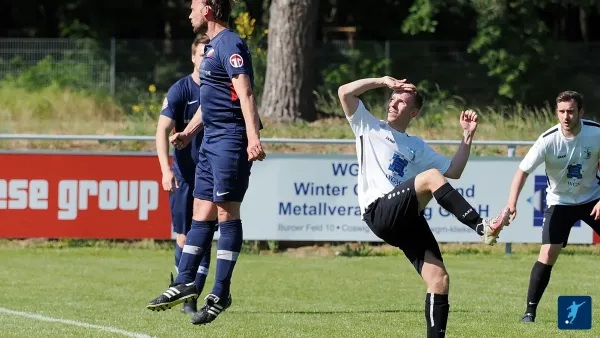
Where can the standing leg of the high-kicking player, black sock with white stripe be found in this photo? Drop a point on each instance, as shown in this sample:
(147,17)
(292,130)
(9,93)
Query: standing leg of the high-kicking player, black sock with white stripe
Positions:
(437,280)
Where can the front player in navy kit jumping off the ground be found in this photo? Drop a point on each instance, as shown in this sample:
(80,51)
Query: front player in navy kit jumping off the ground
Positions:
(231,143)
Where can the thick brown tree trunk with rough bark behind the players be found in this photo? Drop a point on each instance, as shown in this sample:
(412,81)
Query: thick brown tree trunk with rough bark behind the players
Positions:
(289,80)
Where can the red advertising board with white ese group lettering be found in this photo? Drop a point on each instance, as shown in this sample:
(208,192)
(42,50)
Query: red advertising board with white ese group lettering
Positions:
(82,196)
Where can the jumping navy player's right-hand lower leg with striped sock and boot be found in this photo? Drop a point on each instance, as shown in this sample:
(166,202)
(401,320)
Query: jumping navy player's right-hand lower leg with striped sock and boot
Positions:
(228,250)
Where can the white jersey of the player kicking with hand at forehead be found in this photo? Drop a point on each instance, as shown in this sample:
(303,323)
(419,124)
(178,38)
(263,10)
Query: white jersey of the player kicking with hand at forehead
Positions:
(387,157)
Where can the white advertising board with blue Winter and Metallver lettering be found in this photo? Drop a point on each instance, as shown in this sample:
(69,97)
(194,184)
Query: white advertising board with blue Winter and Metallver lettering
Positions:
(313,198)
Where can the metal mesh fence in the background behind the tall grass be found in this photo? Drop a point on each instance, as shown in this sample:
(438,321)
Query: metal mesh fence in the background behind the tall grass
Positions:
(120,66)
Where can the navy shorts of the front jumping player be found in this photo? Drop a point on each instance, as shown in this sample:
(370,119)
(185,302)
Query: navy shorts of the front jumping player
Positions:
(223,170)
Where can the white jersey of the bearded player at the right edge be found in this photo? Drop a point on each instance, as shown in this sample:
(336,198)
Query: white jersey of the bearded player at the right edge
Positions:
(571,164)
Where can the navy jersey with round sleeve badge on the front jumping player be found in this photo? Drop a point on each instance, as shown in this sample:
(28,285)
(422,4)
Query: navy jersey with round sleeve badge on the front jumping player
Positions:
(224,56)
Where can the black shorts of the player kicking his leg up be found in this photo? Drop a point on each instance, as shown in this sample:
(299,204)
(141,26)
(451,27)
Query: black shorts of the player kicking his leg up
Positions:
(395,218)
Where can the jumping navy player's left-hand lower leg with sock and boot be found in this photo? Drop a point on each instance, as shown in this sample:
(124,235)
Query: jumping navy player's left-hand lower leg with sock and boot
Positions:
(198,241)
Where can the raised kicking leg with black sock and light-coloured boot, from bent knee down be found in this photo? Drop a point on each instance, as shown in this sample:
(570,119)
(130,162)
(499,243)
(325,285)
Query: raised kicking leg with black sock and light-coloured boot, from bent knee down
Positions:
(432,184)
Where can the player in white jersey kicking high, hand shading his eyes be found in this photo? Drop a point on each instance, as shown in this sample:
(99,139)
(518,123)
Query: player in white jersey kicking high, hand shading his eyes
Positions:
(398,176)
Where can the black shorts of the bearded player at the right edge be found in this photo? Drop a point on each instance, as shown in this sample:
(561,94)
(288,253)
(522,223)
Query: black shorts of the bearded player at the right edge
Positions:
(559,219)
